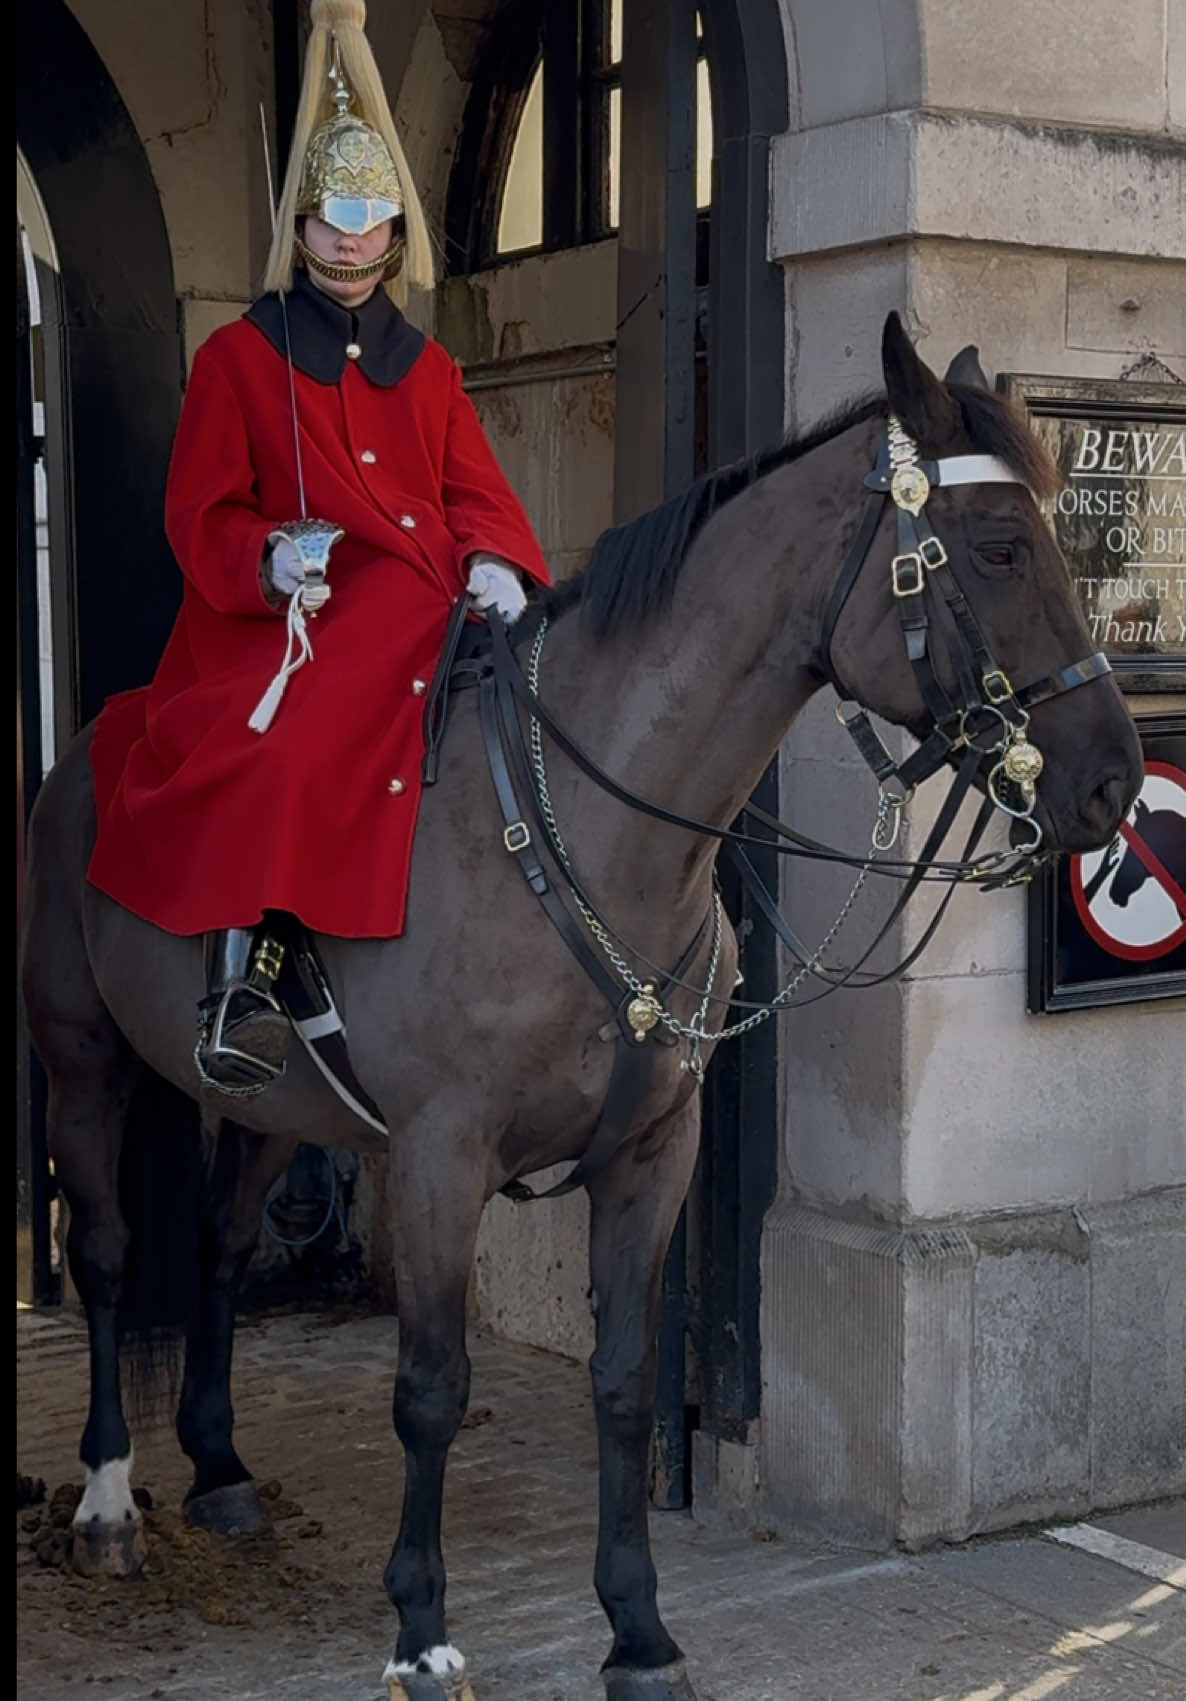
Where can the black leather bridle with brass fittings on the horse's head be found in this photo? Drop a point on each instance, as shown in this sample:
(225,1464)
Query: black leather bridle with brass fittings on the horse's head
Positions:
(988,717)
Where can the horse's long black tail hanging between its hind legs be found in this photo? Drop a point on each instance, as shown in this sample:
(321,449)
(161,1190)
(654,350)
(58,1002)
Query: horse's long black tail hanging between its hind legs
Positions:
(161,1198)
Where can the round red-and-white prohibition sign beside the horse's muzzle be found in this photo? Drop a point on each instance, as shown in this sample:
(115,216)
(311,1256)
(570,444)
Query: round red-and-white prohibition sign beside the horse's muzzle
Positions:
(1132,896)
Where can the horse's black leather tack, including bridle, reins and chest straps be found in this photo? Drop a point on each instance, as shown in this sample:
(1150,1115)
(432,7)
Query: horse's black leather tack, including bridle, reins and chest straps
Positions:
(988,719)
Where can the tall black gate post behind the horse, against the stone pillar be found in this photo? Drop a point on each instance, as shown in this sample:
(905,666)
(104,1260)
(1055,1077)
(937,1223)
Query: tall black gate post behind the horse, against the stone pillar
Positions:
(739,314)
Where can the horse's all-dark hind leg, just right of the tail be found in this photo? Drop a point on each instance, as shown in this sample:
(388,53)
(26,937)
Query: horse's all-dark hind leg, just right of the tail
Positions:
(224,1496)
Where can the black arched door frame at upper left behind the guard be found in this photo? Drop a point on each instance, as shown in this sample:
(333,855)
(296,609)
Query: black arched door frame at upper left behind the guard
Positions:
(123,350)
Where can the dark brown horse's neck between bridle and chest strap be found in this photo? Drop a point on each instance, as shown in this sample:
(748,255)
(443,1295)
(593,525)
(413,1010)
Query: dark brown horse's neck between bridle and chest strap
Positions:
(692,707)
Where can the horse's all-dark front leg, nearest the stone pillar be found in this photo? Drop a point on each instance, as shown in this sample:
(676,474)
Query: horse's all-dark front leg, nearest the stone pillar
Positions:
(636,1205)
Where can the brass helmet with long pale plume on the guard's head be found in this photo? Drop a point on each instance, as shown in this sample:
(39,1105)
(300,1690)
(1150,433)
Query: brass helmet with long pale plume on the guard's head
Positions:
(346,166)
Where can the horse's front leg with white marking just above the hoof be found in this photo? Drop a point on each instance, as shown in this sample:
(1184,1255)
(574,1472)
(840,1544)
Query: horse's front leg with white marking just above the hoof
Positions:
(438,1198)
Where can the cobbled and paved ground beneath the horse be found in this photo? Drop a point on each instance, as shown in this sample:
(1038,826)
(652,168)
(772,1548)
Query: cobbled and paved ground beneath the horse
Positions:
(302,1615)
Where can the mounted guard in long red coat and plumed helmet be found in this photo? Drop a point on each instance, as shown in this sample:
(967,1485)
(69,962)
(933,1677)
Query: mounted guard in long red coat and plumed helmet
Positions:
(244,782)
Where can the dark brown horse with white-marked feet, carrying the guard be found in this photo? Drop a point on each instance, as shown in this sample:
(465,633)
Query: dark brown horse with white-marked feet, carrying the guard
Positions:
(681,656)
